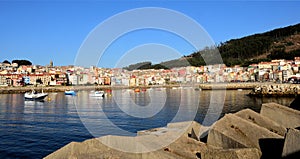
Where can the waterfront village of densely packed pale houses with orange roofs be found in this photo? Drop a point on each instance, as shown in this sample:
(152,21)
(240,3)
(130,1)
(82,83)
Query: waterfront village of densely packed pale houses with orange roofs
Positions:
(279,71)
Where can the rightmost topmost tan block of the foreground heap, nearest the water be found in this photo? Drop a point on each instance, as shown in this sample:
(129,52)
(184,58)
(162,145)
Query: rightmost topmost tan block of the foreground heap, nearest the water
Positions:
(287,117)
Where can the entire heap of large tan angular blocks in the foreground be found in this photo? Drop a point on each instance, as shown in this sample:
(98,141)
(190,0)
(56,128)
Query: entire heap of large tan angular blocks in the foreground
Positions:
(272,133)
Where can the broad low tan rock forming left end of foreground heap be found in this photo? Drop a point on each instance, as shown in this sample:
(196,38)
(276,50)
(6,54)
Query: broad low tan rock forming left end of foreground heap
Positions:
(180,145)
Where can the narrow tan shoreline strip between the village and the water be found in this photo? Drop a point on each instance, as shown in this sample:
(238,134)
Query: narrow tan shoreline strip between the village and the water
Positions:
(206,86)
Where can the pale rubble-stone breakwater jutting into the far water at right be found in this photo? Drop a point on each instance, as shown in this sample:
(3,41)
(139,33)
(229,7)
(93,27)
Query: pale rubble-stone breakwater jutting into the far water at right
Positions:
(275,90)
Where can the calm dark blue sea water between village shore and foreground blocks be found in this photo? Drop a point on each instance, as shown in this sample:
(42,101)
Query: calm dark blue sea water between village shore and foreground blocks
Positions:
(31,129)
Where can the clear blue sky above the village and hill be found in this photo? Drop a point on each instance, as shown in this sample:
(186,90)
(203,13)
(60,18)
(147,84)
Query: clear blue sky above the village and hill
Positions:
(41,31)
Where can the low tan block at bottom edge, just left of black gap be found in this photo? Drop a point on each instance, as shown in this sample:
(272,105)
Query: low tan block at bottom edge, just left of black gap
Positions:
(245,153)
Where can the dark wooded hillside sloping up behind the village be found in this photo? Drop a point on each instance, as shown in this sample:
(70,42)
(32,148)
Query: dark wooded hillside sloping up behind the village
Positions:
(281,43)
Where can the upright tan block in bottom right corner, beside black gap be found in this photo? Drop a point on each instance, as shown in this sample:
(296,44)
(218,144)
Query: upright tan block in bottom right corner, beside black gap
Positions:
(291,147)
